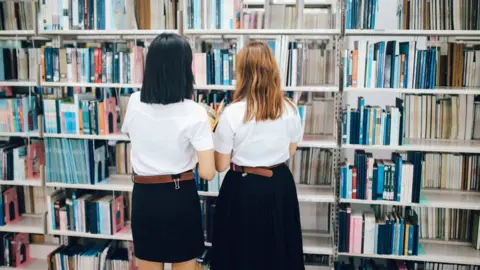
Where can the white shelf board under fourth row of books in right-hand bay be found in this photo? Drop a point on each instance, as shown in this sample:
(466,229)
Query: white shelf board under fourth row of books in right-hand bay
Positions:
(436,198)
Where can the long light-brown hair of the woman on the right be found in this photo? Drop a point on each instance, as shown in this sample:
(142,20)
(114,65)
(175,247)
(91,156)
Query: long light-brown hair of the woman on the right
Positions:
(258,83)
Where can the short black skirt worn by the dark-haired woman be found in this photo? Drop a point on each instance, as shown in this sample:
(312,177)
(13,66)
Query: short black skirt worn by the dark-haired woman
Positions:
(167,223)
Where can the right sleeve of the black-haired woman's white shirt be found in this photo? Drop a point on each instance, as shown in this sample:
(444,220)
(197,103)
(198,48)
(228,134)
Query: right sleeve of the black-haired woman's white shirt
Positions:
(201,134)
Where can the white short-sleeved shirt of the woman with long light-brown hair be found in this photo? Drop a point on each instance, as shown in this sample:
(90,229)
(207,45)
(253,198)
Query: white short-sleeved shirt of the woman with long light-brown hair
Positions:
(256,144)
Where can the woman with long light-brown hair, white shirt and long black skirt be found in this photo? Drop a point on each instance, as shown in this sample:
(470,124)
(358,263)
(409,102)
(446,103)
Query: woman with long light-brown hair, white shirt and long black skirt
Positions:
(257,220)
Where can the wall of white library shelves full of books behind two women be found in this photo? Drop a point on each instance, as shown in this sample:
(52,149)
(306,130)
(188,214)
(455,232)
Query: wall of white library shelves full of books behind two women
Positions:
(388,92)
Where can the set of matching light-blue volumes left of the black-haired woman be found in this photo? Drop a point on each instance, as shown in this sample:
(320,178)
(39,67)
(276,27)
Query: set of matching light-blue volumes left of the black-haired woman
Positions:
(75,161)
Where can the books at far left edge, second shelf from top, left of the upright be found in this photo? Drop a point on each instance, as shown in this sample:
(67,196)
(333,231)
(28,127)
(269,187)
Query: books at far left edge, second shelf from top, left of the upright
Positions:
(18,63)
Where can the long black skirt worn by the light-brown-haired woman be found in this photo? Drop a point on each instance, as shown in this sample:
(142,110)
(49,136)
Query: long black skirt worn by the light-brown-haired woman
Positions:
(257,223)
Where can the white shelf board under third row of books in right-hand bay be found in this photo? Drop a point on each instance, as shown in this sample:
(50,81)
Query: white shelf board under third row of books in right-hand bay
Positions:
(425,145)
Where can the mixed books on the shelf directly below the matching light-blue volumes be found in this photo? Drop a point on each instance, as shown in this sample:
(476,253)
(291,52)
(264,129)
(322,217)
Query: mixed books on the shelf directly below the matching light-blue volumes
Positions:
(87,212)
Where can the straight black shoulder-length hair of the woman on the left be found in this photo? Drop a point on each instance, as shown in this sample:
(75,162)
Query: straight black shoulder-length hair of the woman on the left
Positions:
(168,76)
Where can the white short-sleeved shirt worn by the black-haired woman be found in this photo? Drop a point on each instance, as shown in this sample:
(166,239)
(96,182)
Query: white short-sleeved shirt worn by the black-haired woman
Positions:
(165,138)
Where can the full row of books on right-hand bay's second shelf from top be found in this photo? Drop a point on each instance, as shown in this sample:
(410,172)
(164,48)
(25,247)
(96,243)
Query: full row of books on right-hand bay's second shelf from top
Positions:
(395,64)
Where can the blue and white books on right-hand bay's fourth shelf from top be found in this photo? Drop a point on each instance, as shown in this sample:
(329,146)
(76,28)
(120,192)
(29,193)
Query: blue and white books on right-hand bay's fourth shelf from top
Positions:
(398,179)
